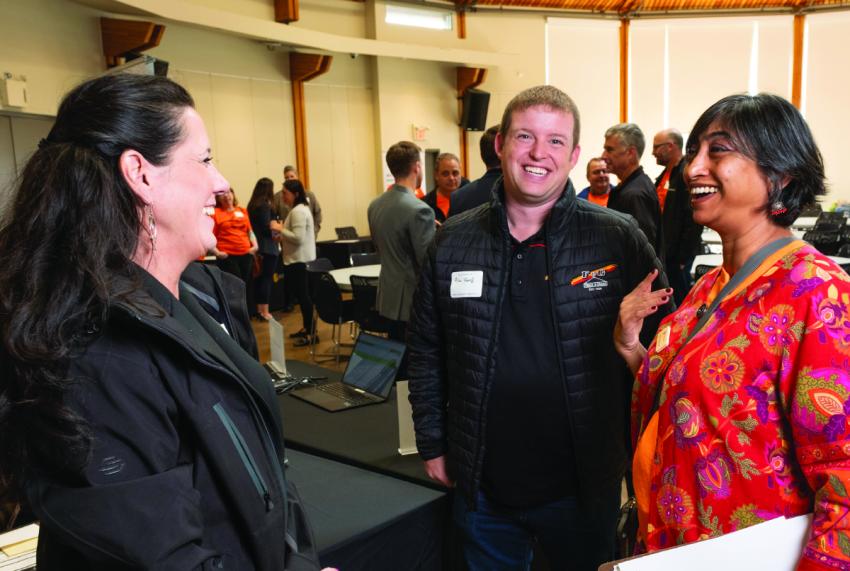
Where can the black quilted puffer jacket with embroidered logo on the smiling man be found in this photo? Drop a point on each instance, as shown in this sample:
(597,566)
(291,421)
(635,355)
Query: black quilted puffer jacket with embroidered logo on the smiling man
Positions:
(454,342)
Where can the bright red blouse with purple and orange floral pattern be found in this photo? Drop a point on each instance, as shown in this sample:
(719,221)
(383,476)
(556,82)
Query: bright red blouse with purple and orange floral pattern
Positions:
(754,414)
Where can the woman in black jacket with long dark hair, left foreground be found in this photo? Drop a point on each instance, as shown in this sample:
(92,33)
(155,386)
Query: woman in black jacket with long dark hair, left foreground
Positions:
(132,422)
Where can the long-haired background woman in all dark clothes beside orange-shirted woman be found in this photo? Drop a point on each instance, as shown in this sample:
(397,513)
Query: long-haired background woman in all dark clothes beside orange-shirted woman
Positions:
(260,211)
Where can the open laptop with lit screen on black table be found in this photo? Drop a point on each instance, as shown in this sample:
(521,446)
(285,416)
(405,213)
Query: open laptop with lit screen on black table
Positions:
(368,378)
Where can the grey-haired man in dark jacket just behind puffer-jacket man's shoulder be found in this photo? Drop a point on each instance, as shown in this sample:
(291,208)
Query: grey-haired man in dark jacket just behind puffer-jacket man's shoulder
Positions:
(635,195)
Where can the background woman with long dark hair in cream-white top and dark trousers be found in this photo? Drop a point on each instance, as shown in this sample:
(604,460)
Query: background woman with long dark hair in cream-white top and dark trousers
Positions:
(298,240)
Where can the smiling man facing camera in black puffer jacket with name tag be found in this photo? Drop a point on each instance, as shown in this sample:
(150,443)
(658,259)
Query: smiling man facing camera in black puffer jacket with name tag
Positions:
(518,396)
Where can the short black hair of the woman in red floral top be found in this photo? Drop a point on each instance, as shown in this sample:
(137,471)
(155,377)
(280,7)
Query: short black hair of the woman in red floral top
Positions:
(769,130)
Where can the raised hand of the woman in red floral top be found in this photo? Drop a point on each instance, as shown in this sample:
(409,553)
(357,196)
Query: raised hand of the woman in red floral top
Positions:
(635,307)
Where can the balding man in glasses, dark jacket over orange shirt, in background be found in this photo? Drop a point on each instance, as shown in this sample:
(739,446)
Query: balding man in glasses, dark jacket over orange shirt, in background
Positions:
(682,236)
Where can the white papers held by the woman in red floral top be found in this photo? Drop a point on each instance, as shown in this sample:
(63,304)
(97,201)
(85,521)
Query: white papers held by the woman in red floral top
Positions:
(775,545)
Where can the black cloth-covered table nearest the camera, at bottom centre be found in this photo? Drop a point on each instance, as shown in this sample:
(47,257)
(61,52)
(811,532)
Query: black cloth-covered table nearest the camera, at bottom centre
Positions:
(364,520)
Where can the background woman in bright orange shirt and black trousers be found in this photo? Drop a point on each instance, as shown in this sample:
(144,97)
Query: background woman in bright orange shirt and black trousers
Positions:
(236,244)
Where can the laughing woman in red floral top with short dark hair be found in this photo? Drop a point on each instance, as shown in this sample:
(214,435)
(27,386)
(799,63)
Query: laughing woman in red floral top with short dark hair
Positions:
(752,420)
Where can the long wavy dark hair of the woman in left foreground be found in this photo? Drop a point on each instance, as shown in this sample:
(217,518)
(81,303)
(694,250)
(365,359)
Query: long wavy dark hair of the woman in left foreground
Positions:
(66,244)
